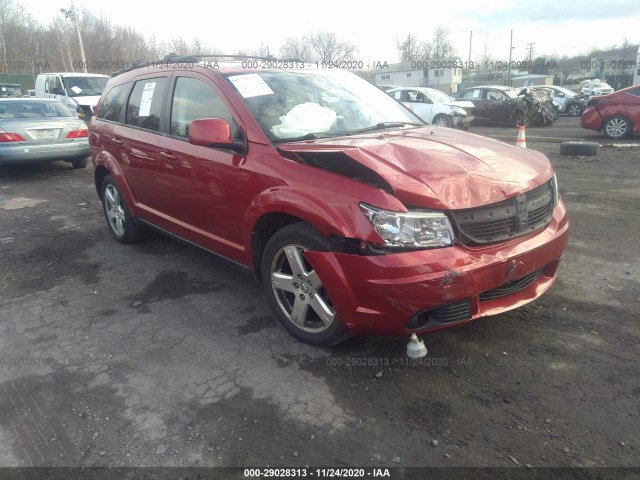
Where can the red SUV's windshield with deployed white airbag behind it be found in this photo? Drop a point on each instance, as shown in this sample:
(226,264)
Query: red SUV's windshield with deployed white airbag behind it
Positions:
(295,104)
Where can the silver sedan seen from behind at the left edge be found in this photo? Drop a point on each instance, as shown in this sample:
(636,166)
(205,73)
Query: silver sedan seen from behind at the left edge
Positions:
(34,130)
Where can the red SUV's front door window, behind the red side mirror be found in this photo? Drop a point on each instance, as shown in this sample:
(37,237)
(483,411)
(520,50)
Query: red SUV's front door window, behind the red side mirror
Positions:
(193,99)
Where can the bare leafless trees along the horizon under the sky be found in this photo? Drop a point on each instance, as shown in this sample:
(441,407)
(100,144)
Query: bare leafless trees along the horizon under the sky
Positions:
(29,47)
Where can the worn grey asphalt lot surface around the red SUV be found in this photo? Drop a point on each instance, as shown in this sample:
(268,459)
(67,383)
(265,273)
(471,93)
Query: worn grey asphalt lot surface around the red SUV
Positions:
(159,354)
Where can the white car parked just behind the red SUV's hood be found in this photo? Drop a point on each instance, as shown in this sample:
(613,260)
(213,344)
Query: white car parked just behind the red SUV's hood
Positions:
(435,107)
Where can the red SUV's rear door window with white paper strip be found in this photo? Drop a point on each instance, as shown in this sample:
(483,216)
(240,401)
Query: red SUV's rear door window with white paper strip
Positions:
(145,103)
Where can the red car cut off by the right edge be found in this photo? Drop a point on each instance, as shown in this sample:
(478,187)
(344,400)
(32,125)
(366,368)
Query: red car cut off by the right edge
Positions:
(617,115)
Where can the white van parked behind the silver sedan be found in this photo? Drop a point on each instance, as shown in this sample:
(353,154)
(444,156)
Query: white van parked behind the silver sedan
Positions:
(78,91)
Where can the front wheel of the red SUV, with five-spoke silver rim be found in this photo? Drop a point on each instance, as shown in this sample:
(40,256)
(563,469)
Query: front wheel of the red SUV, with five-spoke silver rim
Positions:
(294,290)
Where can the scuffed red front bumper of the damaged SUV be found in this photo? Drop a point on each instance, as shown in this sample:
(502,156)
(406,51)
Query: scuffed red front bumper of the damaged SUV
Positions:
(428,290)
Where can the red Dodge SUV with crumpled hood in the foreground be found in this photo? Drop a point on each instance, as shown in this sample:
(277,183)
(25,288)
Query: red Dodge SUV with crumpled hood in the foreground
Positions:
(356,216)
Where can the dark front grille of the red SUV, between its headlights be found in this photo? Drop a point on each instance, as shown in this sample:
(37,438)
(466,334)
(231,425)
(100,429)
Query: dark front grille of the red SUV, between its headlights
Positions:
(507,219)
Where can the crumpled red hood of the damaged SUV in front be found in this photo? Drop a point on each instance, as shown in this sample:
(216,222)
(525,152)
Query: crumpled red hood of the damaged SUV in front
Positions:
(437,167)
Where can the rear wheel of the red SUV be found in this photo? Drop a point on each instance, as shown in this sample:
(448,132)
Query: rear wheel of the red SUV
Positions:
(121,224)
